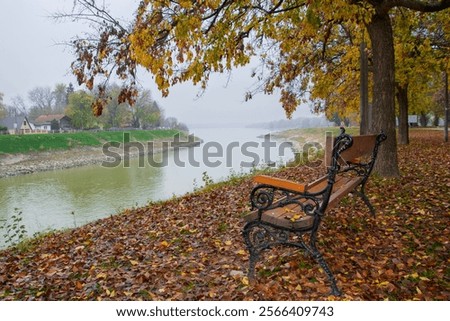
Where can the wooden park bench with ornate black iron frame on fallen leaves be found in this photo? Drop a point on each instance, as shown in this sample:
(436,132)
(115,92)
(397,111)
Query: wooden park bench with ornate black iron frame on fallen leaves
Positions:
(289,213)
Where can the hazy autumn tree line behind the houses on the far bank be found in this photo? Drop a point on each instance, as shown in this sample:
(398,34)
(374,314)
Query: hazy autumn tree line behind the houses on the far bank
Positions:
(146,113)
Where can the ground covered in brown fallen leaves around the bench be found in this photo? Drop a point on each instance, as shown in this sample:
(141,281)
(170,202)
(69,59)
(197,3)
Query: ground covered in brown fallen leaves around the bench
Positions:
(191,248)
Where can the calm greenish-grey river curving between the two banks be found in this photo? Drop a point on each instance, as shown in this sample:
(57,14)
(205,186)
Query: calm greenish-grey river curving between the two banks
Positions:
(69,198)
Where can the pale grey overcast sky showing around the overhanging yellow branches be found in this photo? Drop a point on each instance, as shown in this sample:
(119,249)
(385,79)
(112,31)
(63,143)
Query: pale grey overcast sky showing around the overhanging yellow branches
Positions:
(31,57)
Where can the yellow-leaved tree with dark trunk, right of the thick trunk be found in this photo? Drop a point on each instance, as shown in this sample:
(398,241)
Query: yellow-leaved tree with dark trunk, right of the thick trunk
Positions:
(420,49)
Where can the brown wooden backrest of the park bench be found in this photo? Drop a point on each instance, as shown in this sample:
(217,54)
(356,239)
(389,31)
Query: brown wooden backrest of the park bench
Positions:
(362,146)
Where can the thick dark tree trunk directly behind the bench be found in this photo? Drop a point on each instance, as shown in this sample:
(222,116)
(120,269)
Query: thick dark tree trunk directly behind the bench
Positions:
(383,110)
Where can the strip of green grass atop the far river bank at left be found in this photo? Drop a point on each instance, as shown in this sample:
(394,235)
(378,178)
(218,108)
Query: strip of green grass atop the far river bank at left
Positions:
(12,144)
